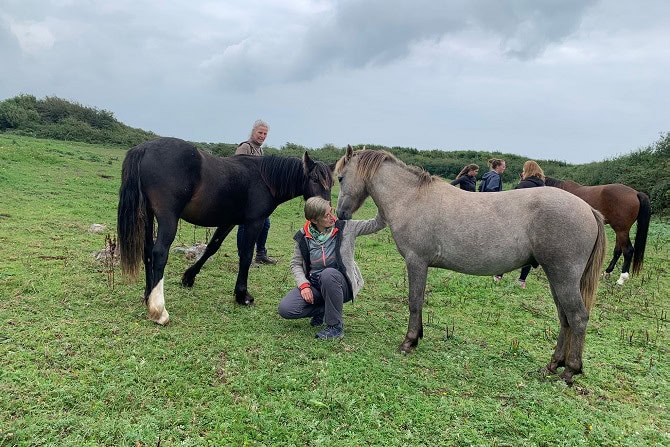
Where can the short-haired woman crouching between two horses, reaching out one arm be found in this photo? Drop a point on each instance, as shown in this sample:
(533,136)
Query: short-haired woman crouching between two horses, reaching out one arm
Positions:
(324,269)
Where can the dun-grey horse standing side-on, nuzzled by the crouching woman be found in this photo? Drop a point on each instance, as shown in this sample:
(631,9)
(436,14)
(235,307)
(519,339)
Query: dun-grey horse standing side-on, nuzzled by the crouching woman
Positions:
(435,224)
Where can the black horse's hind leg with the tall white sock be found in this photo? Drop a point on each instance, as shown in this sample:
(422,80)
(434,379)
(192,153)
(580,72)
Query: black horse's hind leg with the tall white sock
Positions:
(167,229)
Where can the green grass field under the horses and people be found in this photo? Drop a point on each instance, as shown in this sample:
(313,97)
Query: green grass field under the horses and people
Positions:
(80,364)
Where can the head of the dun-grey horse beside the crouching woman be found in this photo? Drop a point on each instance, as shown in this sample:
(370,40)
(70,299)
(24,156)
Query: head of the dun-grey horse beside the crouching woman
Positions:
(352,185)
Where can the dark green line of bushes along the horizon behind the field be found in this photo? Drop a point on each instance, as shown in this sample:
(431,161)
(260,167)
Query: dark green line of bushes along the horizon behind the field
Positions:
(646,169)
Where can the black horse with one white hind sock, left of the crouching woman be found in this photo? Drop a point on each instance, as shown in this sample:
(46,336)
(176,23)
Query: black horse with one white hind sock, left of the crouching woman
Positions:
(168,179)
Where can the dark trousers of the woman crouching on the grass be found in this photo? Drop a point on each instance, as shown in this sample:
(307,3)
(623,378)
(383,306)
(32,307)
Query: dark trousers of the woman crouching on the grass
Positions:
(329,297)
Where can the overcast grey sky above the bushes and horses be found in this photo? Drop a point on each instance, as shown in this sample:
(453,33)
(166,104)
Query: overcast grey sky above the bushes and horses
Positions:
(570,80)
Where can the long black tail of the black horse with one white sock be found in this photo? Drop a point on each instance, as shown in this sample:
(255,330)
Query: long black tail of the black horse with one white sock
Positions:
(131,214)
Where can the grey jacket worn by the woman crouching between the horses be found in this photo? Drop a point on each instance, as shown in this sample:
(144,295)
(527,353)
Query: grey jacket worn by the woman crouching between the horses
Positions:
(350,229)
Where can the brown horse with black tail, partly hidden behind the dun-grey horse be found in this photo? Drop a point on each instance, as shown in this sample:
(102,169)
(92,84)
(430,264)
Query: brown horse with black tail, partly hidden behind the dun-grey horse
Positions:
(621,206)
